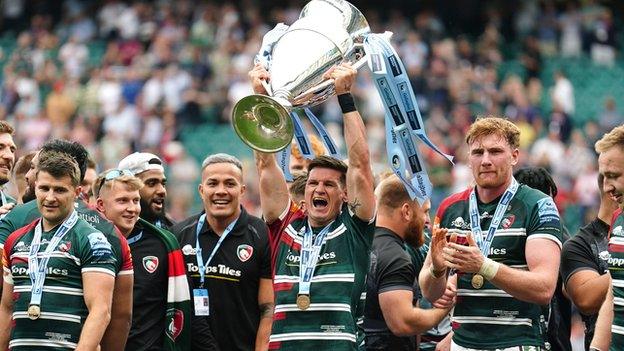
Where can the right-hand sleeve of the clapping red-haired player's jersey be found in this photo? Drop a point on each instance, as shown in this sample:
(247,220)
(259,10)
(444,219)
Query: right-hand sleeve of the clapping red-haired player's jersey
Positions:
(545,222)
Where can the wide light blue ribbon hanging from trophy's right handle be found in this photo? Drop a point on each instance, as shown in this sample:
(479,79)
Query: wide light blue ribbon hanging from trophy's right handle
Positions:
(399,101)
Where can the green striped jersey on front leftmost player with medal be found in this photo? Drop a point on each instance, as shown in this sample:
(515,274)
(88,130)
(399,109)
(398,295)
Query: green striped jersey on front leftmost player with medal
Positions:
(63,311)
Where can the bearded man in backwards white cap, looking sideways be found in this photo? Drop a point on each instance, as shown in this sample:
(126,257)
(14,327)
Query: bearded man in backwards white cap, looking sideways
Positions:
(149,168)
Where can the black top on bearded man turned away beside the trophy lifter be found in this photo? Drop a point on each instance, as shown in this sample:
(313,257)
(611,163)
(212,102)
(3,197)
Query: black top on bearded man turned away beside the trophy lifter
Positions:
(391,268)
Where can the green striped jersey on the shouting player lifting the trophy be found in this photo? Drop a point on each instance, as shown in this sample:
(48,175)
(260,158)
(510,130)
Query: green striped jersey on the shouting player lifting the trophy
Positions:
(337,285)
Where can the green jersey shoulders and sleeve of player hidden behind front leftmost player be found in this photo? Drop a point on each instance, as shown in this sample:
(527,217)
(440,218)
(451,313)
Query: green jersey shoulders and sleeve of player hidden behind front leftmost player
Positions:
(24,214)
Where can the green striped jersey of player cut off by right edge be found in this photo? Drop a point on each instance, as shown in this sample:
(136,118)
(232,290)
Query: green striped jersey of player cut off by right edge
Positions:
(616,267)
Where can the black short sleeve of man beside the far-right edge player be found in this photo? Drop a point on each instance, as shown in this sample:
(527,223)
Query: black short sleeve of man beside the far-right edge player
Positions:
(576,255)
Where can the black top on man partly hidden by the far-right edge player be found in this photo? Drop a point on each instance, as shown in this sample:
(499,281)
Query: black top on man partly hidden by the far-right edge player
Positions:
(586,250)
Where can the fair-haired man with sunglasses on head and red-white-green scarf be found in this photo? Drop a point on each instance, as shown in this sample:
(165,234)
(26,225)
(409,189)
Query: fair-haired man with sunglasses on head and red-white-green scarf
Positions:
(161,317)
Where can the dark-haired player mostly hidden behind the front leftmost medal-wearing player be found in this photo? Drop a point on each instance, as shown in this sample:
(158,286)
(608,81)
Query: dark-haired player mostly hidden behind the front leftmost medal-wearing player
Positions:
(21,215)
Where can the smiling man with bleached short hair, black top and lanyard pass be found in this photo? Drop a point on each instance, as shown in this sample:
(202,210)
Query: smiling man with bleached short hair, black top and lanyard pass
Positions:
(228,259)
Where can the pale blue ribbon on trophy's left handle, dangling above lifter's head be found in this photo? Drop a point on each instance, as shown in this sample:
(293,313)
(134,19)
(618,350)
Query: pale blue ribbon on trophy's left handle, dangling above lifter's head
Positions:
(300,135)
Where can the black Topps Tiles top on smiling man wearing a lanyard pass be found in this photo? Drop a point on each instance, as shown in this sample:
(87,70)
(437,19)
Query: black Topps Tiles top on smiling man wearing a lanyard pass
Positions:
(232,278)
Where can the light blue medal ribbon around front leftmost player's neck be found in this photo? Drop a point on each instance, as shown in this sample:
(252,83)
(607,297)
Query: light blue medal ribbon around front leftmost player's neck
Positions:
(37,267)
